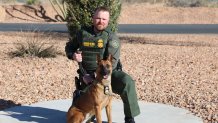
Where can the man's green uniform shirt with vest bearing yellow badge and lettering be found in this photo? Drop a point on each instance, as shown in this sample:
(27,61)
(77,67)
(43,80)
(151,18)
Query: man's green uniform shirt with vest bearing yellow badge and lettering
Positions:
(91,43)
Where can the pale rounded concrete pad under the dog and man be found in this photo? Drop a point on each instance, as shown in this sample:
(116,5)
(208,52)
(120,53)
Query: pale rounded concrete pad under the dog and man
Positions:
(55,112)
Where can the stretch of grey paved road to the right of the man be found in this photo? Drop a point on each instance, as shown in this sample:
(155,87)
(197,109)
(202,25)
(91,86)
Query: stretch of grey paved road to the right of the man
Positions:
(170,28)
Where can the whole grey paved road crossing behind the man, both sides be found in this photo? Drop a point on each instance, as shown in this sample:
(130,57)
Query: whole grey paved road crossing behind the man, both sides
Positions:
(122,28)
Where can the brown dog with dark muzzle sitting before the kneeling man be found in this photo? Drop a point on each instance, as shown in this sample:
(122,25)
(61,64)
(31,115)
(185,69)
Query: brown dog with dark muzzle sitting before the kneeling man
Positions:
(97,96)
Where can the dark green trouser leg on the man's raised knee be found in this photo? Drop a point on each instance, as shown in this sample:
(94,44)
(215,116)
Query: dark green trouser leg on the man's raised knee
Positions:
(124,85)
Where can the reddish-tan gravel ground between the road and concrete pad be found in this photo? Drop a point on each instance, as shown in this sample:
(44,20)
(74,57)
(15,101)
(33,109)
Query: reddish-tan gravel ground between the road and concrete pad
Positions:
(181,70)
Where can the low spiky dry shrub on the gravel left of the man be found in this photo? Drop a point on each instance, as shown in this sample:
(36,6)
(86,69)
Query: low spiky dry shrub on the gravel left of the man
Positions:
(35,46)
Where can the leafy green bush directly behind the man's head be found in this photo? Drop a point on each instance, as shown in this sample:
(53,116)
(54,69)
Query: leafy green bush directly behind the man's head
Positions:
(79,13)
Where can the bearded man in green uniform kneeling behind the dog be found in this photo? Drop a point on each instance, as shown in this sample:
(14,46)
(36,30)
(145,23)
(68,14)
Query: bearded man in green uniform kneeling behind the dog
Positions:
(98,39)
